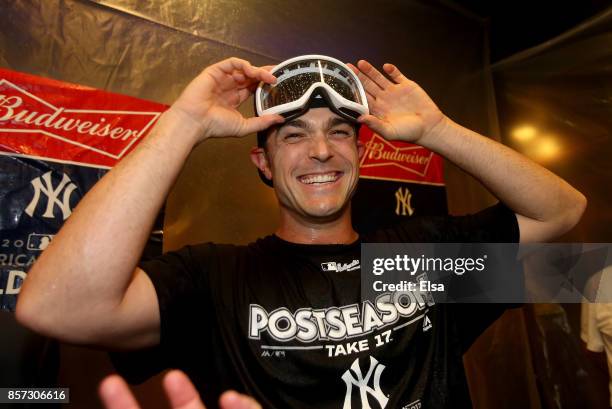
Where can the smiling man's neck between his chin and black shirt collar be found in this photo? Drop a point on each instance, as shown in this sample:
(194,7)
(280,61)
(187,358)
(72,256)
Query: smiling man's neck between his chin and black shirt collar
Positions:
(297,229)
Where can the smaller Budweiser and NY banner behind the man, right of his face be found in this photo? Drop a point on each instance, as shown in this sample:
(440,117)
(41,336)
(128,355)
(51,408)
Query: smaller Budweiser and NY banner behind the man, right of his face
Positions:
(398,180)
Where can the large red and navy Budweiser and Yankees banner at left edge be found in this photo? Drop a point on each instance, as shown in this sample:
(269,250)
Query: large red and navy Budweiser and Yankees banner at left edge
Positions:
(56,141)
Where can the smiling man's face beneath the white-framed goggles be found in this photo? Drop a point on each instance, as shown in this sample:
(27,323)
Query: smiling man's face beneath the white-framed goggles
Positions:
(314,164)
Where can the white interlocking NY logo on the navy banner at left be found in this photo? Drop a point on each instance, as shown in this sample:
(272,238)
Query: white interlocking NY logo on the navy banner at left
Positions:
(43,184)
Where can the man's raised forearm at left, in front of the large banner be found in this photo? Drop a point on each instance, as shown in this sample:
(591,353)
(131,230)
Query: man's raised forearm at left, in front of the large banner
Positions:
(91,260)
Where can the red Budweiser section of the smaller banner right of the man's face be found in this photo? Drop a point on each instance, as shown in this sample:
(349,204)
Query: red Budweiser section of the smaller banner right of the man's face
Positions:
(398,161)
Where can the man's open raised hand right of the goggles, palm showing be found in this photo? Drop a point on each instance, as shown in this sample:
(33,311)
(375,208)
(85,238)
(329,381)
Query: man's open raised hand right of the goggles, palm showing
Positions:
(399,108)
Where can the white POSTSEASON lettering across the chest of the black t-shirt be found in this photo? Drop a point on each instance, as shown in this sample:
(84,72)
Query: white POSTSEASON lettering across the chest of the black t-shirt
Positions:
(335,323)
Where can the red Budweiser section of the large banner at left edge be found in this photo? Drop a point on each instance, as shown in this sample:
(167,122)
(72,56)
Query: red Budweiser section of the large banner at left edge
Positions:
(62,122)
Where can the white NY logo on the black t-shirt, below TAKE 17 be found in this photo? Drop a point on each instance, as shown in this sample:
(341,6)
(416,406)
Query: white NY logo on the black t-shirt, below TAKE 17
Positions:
(361,382)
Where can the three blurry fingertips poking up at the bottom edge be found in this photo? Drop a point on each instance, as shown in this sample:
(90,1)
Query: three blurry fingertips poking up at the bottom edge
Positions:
(115,394)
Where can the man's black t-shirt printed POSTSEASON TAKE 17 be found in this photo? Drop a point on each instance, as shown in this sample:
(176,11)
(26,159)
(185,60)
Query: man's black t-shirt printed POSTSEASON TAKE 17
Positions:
(266,319)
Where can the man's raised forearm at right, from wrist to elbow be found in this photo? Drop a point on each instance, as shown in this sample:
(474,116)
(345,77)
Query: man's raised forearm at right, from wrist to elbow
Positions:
(524,186)
